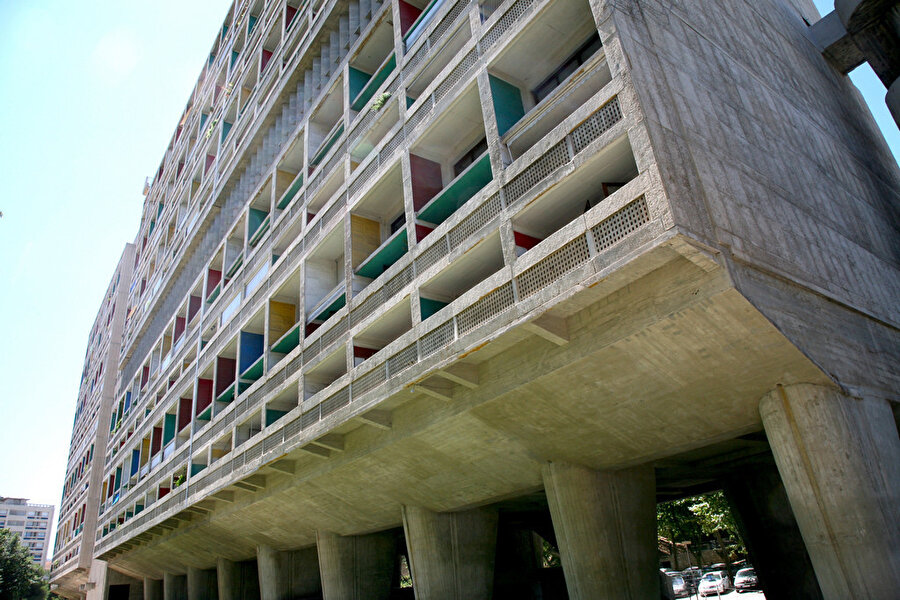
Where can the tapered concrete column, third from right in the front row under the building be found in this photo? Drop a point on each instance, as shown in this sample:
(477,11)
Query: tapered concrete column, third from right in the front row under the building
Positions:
(451,555)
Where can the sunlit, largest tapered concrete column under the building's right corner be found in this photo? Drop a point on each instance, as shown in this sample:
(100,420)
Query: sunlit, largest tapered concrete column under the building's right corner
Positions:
(839,459)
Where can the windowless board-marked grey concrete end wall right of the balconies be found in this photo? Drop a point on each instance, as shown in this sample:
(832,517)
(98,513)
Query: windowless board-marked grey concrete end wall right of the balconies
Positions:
(768,154)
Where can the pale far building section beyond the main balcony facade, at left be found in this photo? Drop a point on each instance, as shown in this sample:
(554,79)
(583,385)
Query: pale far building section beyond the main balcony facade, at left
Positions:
(80,500)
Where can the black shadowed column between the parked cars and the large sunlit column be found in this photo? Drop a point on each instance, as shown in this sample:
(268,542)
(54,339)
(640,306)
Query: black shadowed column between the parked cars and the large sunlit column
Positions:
(763,512)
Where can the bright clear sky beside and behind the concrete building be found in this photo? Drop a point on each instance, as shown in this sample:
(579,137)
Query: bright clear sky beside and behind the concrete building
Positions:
(91,92)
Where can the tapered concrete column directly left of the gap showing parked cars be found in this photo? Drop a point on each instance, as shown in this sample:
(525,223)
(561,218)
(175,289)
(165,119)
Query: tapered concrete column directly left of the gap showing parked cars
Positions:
(605,524)
